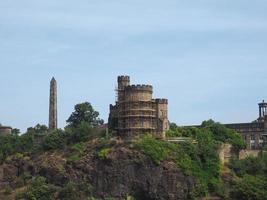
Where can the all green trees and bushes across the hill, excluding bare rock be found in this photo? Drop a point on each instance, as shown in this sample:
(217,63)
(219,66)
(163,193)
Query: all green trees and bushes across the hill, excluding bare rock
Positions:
(197,157)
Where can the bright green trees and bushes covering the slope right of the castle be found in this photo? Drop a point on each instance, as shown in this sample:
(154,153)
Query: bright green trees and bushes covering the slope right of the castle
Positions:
(198,156)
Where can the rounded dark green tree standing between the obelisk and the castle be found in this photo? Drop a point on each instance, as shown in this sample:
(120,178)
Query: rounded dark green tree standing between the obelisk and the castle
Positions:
(84,112)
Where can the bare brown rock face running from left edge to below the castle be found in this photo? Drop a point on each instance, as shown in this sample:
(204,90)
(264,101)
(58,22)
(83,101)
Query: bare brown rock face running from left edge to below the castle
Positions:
(123,171)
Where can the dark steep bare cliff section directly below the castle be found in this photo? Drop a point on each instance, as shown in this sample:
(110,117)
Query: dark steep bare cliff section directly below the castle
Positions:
(124,172)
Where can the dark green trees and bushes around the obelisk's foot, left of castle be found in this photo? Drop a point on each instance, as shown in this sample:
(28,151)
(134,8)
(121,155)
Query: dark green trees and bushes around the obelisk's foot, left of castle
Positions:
(81,128)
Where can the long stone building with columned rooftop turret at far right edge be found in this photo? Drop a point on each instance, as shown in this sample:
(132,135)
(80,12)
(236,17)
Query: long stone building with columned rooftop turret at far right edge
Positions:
(255,133)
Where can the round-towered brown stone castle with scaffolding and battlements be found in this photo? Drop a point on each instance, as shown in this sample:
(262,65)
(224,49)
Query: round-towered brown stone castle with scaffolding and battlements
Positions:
(136,112)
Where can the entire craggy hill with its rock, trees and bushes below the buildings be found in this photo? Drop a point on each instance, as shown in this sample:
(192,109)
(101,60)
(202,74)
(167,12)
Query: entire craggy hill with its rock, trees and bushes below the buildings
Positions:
(82,162)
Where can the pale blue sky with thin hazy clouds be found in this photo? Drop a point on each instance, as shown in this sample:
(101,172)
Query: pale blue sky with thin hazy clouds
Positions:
(207,57)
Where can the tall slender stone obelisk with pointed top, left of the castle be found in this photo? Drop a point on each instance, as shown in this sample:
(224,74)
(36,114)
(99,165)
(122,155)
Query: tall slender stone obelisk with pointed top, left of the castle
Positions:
(53,105)
